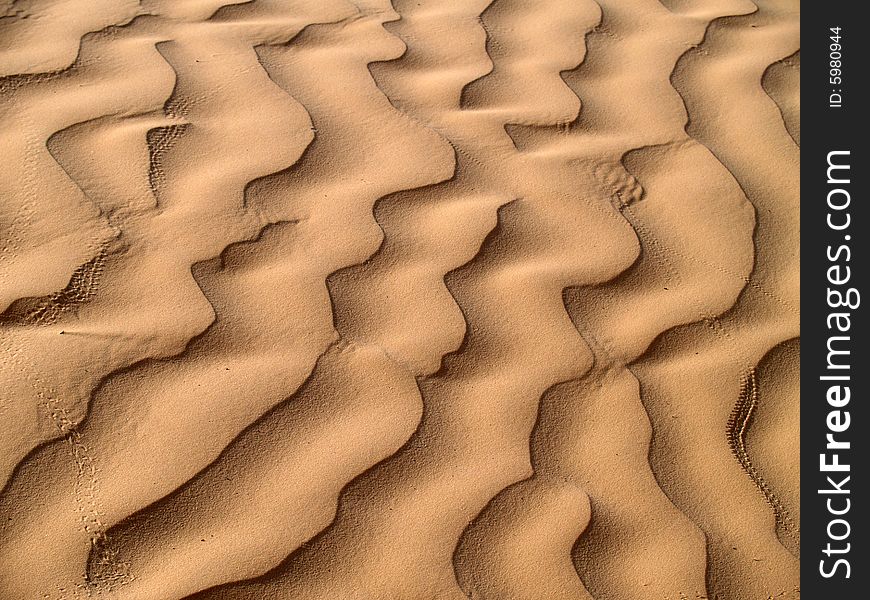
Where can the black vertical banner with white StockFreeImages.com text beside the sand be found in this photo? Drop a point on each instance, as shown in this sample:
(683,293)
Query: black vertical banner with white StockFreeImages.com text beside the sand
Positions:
(834,258)
